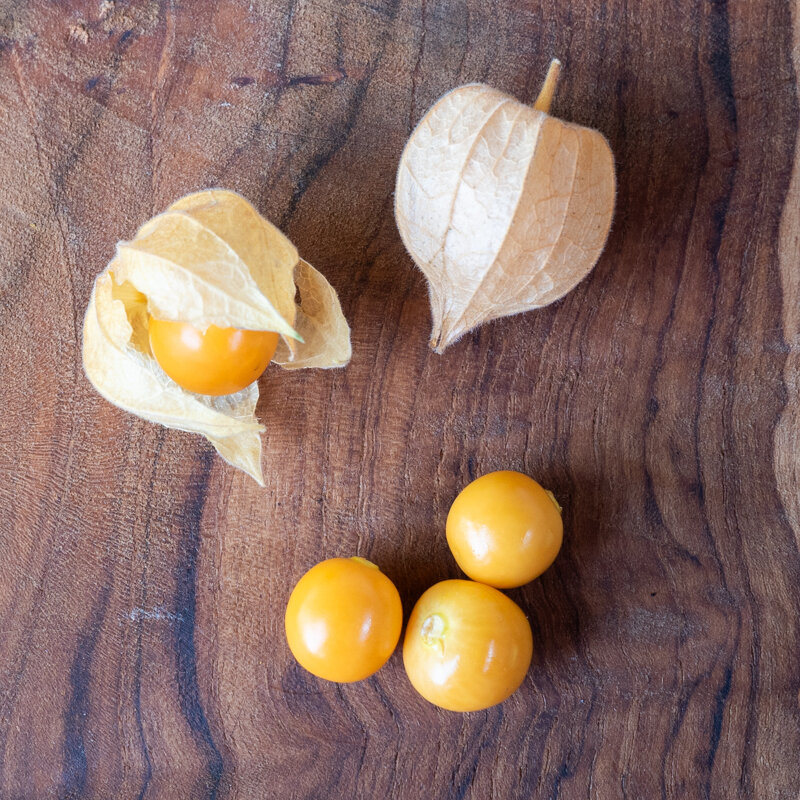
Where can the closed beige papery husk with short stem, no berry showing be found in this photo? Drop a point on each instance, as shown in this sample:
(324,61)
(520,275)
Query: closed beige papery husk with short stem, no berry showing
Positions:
(503,207)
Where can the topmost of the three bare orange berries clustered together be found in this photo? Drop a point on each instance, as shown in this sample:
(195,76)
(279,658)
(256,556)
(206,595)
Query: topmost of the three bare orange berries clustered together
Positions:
(504,529)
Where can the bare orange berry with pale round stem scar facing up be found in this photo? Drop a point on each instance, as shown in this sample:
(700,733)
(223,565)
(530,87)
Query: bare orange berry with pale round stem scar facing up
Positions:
(467,646)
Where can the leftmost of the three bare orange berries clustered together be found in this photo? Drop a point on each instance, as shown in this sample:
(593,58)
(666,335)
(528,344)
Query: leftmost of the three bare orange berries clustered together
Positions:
(343,619)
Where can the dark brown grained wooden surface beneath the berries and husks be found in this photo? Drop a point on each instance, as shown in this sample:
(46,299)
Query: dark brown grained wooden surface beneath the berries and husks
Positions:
(143,581)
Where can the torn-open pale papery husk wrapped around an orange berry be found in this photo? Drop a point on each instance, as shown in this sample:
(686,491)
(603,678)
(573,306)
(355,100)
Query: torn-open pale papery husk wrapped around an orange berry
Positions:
(209,259)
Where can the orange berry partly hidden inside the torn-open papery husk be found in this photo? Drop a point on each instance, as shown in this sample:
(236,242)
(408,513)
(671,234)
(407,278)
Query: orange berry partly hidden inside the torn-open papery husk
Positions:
(219,361)
